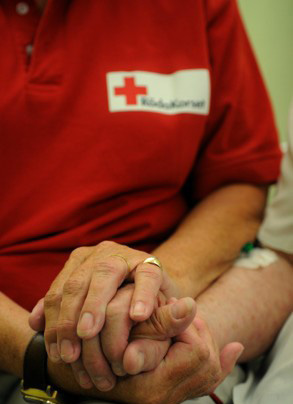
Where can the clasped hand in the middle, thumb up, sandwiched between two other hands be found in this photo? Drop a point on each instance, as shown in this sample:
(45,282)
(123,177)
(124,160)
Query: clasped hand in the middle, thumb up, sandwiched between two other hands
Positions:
(112,347)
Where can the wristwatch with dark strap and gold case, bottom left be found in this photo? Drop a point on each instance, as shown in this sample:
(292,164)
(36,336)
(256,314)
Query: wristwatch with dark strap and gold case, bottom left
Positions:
(34,386)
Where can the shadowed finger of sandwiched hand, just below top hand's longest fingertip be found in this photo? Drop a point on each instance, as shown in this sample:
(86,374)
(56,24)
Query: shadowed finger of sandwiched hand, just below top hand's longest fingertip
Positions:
(96,365)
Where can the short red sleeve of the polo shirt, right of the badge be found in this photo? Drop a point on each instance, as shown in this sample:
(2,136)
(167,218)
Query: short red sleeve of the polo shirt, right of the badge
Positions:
(241,142)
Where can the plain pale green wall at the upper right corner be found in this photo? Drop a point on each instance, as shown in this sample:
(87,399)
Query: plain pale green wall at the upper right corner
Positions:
(270,27)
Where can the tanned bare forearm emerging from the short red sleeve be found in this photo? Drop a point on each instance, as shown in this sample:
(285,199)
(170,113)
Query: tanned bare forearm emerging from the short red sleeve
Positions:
(207,242)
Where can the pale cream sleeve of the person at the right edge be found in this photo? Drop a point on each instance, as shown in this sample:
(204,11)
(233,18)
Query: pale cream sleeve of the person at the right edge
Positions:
(277,228)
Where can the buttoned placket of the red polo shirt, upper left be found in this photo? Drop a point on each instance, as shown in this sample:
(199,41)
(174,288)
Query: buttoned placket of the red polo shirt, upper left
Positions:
(34,35)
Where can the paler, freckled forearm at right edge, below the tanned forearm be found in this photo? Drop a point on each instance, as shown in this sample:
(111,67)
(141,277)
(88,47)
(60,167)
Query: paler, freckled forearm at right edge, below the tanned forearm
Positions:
(249,306)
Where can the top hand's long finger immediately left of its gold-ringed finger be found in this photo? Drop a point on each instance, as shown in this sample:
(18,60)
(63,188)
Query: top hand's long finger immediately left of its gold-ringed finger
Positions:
(107,275)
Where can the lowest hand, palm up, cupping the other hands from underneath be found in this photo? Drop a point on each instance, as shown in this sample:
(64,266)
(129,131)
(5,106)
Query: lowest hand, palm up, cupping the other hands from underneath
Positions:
(193,367)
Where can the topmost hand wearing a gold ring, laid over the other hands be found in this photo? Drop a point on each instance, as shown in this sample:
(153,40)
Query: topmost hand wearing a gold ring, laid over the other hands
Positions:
(76,303)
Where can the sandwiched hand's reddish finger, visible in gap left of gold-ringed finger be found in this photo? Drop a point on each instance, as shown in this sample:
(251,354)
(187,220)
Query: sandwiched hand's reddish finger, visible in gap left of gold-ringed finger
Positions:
(115,333)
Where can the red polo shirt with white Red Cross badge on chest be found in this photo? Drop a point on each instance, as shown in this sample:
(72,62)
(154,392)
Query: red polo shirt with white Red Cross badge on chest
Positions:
(108,109)
